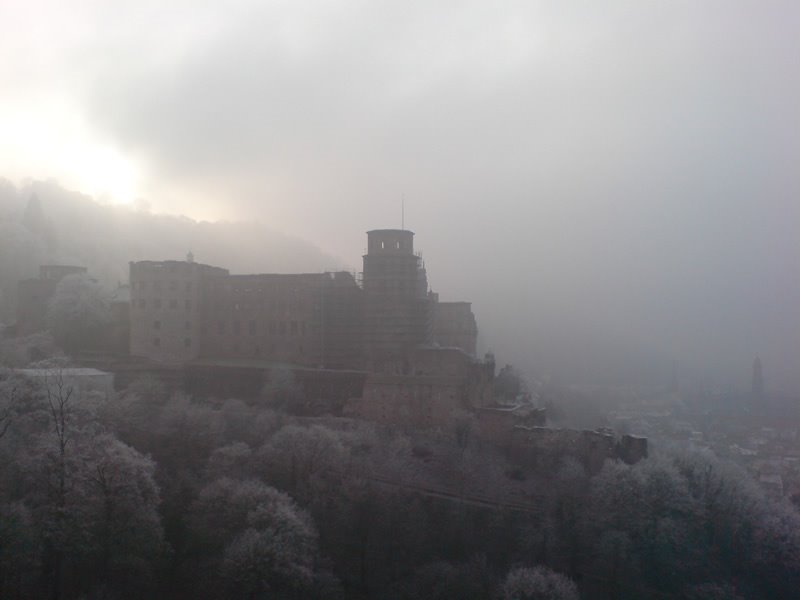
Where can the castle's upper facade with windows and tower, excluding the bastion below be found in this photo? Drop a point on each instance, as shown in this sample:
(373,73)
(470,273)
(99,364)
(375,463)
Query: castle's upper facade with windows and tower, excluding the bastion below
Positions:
(182,311)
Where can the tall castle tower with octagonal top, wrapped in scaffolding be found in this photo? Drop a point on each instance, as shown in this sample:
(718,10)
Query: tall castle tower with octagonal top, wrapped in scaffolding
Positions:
(398,310)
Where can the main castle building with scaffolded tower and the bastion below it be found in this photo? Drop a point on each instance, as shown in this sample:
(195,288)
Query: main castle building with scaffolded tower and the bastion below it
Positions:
(416,354)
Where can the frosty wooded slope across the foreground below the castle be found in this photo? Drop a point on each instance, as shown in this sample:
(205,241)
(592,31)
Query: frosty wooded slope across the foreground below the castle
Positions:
(155,495)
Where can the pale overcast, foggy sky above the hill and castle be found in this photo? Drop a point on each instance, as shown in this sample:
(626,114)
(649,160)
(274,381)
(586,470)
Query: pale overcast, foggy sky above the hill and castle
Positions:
(614,184)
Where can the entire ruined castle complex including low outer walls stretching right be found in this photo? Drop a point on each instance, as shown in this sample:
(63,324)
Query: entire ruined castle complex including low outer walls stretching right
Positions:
(380,347)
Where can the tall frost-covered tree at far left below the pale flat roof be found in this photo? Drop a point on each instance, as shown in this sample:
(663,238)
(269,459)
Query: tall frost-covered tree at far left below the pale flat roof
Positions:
(92,500)
